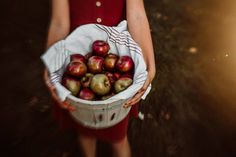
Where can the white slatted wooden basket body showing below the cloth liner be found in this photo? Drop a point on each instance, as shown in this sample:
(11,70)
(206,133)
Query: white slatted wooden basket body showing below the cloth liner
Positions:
(100,115)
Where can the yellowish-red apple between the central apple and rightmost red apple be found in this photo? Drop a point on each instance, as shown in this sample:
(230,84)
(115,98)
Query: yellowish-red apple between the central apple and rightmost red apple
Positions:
(110,61)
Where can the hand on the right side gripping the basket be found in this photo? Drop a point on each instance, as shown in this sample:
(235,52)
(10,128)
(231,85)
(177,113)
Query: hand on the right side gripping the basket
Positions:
(137,97)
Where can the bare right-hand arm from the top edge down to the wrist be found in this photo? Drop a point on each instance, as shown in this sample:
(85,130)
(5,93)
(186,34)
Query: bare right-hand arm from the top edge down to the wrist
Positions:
(139,29)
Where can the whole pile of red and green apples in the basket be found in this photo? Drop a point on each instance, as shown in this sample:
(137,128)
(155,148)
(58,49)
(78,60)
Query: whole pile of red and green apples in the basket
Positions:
(98,75)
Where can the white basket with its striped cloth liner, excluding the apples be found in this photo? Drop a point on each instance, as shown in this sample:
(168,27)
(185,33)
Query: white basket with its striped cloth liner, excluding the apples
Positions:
(105,113)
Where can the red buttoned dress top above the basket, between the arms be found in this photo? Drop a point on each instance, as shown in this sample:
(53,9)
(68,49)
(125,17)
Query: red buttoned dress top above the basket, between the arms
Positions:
(106,12)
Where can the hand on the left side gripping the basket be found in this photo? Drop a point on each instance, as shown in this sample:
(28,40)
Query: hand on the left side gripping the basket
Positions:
(52,90)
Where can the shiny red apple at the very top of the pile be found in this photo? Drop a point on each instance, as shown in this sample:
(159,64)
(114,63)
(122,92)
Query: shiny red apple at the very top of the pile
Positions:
(100,48)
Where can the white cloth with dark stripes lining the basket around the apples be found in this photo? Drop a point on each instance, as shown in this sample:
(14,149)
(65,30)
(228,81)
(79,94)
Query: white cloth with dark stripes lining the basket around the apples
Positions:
(79,41)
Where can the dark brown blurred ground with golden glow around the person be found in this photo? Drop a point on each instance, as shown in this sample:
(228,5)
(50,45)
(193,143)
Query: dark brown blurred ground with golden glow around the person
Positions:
(191,111)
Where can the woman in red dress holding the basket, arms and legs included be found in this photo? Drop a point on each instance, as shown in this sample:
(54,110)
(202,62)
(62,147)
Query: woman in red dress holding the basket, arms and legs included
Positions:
(69,14)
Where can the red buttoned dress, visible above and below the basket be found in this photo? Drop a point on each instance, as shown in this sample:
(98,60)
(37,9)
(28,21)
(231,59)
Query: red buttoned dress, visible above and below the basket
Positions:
(106,12)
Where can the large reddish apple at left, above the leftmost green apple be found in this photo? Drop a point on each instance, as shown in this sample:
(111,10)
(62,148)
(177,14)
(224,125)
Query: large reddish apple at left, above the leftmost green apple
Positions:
(76,68)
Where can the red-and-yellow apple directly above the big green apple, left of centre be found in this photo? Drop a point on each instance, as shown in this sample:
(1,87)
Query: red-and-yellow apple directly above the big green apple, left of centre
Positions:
(95,64)
